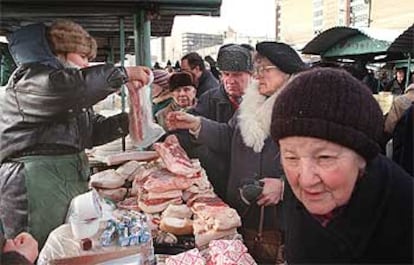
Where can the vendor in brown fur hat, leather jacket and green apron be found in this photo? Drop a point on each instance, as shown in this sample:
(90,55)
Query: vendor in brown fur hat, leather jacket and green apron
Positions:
(47,121)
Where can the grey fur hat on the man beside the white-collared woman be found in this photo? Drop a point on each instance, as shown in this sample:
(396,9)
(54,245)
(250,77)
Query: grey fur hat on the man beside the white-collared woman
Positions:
(235,58)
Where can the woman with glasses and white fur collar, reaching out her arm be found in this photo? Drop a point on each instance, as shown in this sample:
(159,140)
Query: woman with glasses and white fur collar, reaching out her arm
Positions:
(252,154)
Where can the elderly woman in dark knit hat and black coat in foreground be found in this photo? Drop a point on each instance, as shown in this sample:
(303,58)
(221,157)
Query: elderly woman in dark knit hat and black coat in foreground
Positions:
(345,203)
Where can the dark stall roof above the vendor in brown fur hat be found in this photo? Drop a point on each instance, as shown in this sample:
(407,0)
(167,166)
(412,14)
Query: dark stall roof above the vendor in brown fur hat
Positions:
(101,18)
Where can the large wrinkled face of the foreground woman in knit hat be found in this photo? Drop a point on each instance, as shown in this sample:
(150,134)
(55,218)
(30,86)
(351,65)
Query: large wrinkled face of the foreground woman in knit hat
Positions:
(322,174)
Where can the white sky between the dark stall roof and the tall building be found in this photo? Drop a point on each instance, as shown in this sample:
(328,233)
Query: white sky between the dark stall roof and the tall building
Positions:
(255,18)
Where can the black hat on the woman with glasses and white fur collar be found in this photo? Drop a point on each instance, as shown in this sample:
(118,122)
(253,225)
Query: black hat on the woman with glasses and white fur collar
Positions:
(282,56)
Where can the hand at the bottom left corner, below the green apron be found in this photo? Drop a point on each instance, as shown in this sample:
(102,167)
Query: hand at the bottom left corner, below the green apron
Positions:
(24,244)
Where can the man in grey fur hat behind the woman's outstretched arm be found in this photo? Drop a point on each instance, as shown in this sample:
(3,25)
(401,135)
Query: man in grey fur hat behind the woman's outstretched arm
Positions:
(219,104)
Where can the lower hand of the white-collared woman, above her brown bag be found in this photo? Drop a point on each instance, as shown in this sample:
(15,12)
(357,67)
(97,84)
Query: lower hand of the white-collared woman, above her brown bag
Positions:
(272,192)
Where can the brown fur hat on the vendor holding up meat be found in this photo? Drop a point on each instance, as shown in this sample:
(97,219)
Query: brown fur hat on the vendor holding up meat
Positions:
(67,36)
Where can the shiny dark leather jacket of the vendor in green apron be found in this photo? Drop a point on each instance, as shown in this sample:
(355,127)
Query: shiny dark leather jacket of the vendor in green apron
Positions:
(45,104)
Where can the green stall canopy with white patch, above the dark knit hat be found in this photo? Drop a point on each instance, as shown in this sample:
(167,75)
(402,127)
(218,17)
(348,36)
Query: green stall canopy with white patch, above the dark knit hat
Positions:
(351,43)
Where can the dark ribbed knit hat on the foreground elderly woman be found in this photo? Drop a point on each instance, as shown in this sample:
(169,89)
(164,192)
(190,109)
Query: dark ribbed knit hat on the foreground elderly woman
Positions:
(329,104)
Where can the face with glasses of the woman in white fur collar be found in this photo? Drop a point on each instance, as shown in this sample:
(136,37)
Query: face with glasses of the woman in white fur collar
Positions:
(269,76)
